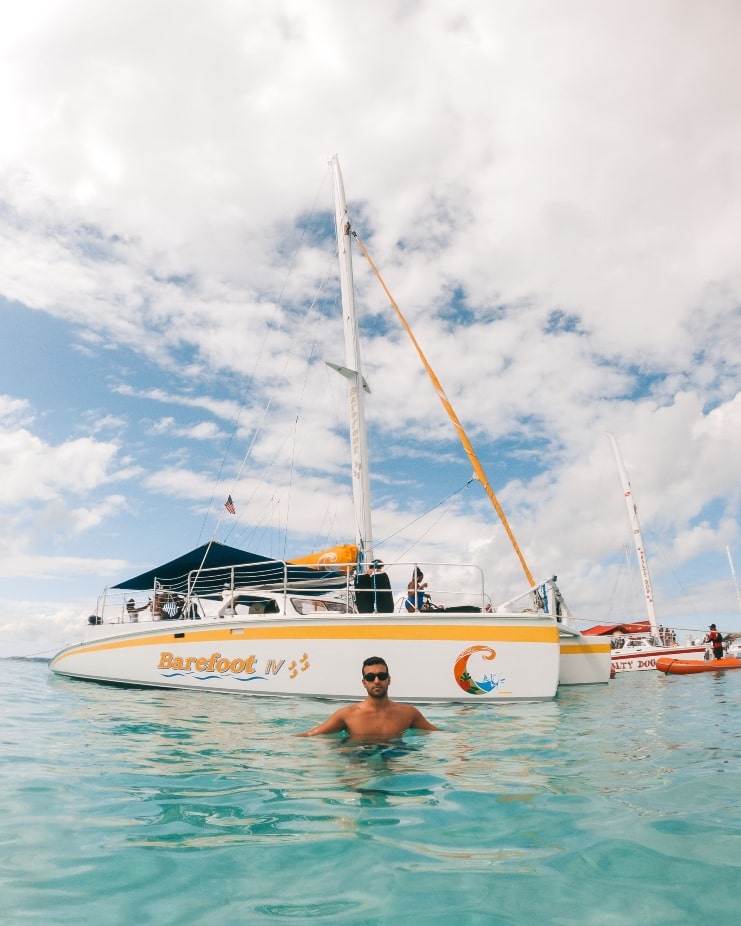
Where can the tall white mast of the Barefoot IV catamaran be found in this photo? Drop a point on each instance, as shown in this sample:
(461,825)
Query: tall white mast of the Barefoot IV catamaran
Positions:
(353,372)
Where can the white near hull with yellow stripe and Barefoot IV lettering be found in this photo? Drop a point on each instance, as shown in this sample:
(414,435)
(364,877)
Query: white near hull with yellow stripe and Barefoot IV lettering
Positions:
(468,658)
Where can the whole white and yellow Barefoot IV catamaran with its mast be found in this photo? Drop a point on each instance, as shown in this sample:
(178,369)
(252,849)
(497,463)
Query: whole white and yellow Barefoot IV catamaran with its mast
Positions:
(222,619)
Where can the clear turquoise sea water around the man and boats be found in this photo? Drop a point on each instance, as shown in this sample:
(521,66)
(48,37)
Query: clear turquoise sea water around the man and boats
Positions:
(615,804)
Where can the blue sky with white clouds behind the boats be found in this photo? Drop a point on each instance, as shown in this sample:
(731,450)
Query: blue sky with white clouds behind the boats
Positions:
(552,192)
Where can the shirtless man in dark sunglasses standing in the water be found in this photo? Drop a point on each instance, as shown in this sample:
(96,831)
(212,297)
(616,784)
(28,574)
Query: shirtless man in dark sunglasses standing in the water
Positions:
(378,715)
